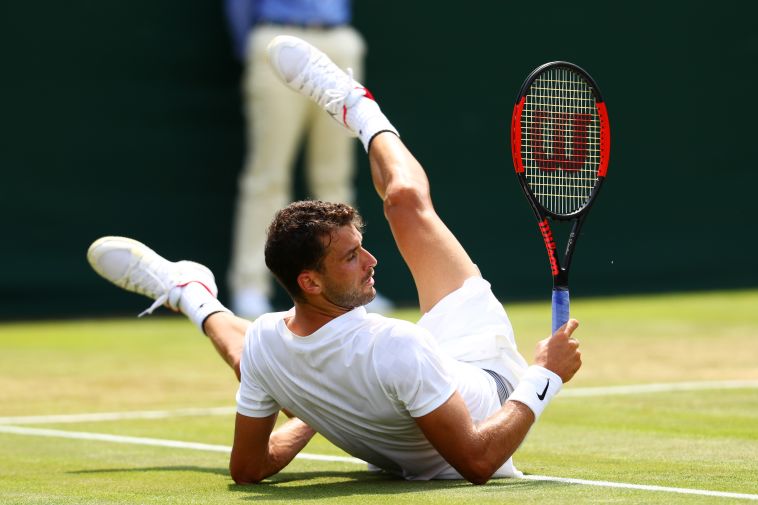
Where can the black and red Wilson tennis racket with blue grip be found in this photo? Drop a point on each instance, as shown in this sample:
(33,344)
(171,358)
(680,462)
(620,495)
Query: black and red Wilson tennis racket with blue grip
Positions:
(560,142)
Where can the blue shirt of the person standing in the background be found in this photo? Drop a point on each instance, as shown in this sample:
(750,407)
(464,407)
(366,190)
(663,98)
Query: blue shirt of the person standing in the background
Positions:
(242,15)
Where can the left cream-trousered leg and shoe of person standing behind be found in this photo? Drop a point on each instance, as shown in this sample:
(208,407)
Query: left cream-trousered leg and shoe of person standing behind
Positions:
(275,127)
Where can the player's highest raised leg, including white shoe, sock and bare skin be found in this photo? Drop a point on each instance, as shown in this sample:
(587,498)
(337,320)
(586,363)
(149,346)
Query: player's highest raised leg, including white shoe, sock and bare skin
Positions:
(437,261)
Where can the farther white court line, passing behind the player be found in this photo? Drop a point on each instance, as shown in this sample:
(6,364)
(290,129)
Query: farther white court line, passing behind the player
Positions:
(222,411)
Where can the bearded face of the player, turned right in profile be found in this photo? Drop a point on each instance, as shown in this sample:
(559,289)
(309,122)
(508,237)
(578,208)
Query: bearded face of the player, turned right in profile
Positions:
(348,270)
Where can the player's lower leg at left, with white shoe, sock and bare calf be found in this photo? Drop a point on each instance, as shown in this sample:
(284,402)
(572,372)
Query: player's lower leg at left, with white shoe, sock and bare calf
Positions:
(183,286)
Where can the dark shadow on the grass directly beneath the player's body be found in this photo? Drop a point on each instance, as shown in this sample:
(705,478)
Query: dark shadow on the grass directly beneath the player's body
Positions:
(296,486)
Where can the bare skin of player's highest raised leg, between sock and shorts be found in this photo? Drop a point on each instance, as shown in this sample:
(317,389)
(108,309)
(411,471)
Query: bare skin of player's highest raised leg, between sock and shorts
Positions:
(435,257)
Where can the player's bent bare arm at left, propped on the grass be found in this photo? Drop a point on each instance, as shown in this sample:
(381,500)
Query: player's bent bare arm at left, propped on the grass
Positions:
(259,452)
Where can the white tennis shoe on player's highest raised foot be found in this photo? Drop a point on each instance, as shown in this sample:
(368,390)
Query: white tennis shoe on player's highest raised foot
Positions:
(310,72)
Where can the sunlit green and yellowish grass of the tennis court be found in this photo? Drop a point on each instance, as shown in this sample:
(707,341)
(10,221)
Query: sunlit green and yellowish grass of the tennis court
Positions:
(704,439)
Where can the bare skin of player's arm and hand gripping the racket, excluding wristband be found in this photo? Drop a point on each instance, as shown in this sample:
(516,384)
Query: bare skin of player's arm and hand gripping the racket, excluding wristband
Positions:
(477,451)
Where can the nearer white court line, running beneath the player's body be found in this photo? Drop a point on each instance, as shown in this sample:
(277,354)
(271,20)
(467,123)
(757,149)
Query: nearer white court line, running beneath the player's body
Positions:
(18,430)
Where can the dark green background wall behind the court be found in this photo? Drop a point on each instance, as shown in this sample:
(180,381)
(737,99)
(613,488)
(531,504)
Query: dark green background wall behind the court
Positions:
(124,118)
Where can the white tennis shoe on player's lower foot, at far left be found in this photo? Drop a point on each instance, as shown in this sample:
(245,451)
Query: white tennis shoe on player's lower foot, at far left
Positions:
(133,266)
